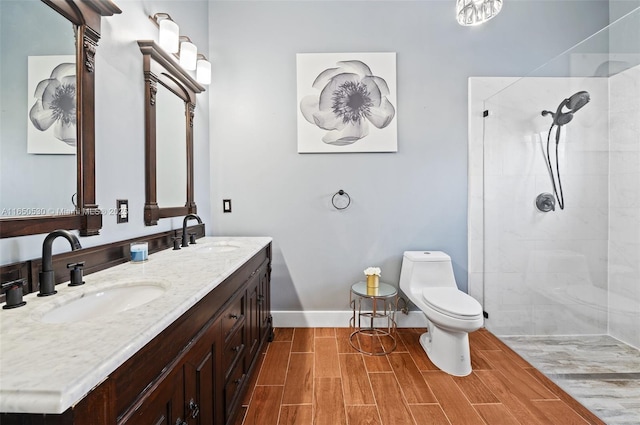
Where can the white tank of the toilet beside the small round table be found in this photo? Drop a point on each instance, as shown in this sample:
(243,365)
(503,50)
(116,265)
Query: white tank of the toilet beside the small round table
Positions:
(425,269)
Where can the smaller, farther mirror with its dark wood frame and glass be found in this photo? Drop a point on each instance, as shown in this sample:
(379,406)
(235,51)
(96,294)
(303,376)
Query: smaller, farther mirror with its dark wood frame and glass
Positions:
(170,102)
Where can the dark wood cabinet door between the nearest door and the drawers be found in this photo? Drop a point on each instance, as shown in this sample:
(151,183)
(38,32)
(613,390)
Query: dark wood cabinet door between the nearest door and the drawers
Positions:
(202,394)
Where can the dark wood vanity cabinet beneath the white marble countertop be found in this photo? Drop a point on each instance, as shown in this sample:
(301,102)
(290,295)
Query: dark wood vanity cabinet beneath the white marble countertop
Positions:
(196,371)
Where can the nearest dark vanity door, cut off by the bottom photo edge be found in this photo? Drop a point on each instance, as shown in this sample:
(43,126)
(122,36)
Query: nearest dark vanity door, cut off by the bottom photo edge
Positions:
(163,405)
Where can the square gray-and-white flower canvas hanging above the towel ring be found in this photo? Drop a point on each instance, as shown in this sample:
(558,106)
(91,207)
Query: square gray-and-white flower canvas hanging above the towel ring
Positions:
(347,102)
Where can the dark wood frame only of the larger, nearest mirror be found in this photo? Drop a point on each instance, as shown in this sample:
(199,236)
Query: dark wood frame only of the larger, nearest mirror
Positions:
(86,16)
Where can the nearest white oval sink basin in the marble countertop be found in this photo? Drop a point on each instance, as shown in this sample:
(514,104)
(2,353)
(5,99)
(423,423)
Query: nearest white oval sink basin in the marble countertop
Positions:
(114,299)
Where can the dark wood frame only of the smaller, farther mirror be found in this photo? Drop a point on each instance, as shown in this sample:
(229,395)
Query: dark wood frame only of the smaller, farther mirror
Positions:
(159,67)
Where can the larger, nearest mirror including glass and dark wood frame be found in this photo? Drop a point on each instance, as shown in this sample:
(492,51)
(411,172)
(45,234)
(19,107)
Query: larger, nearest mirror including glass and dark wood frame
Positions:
(61,102)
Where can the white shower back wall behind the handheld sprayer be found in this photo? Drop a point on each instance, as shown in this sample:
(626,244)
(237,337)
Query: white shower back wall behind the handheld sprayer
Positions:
(538,273)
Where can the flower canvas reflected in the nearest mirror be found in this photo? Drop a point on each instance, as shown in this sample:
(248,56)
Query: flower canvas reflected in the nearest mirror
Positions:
(51,103)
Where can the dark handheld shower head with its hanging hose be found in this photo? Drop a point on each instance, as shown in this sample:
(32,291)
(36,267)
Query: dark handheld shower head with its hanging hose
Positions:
(560,118)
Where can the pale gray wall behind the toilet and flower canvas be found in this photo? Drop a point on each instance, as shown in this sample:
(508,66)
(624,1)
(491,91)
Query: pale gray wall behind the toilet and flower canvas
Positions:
(413,199)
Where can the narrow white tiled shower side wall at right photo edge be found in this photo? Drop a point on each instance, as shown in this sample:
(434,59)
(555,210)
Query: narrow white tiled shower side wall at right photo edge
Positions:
(624,207)
